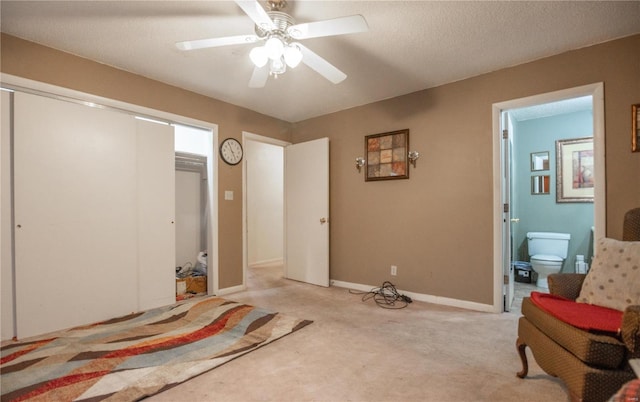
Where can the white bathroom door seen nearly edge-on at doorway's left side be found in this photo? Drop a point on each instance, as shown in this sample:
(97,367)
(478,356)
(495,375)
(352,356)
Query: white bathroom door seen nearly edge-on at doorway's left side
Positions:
(507,268)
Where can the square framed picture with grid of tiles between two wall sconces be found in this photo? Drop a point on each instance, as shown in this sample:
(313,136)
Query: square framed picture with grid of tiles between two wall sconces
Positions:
(387,155)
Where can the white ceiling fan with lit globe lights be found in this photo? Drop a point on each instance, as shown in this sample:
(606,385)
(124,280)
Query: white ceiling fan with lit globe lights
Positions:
(280,34)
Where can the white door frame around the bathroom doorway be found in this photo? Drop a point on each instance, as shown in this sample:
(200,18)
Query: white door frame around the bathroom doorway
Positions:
(597,92)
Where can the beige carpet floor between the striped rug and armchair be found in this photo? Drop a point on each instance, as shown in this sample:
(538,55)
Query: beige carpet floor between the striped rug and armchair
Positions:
(357,351)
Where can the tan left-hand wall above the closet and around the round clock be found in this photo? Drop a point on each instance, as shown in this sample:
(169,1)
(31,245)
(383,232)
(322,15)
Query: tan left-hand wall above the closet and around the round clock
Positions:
(29,60)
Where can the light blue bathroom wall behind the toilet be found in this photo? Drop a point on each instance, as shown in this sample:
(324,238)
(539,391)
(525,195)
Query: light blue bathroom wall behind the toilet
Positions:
(541,213)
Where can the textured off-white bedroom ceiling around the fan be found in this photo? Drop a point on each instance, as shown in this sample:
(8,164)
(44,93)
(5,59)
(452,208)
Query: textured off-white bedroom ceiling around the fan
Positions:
(411,45)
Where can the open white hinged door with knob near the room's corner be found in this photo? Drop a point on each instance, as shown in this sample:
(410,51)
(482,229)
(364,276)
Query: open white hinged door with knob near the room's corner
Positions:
(307,212)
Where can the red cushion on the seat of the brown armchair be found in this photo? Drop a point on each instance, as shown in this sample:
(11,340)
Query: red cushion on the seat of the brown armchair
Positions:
(580,315)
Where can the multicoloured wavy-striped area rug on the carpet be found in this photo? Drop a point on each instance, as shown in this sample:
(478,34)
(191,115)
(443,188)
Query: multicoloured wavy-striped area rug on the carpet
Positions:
(137,355)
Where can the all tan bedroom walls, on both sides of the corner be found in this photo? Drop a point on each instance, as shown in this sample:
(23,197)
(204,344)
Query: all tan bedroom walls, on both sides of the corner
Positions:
(436,226)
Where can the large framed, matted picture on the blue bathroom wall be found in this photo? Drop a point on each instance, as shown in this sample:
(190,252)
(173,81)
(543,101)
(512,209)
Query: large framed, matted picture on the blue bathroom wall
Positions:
(574,170)
